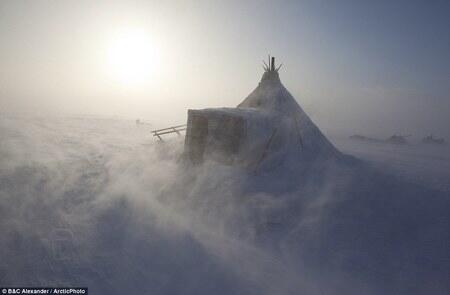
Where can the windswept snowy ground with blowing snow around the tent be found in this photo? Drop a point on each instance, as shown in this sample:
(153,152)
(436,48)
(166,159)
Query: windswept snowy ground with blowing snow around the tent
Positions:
(99,203)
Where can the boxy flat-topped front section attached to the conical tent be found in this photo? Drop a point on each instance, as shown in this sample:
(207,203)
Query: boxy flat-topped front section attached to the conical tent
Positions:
(232,135)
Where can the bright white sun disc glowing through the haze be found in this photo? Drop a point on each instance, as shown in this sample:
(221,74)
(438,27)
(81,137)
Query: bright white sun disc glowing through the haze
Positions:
(132,58)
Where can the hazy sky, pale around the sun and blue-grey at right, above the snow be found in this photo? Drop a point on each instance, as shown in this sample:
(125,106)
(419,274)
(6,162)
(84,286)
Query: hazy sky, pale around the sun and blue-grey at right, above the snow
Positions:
(355,66)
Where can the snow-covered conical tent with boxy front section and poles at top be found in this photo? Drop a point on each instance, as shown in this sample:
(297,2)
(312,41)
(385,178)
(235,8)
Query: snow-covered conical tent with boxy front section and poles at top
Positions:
(269,126)
